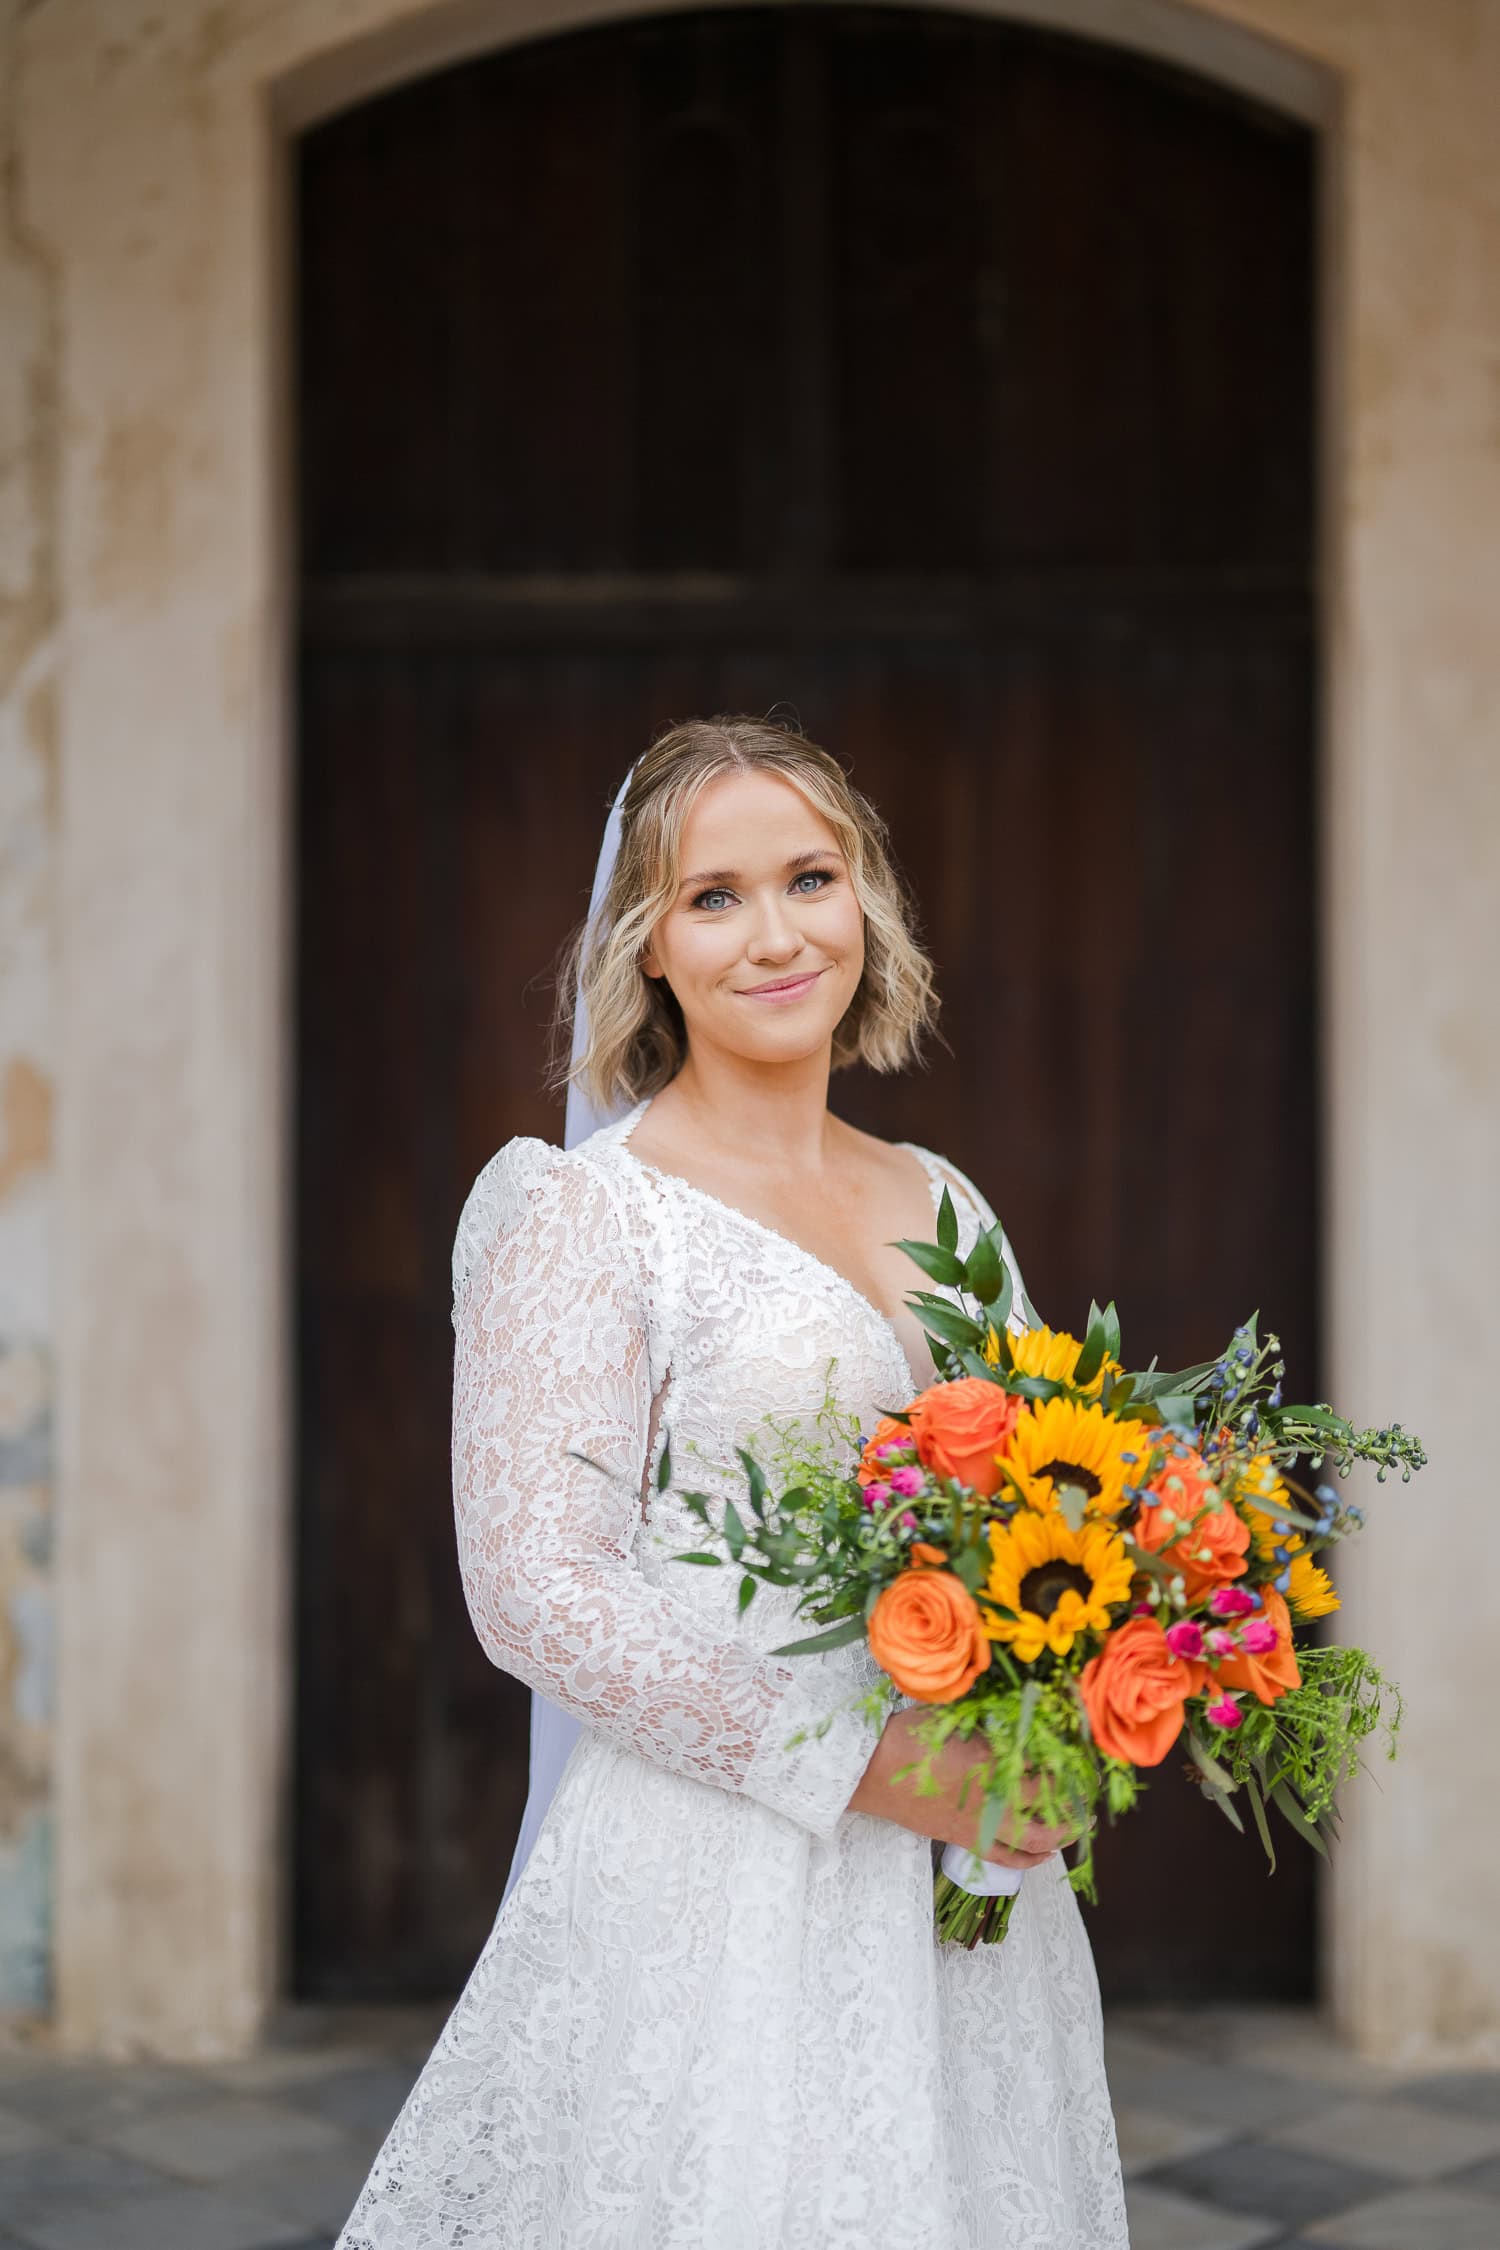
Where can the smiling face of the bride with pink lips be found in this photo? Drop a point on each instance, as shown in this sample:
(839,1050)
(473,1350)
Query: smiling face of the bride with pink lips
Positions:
(763,944)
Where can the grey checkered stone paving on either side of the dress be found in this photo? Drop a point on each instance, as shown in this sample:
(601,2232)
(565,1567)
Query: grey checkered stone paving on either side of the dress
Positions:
(1240,2132)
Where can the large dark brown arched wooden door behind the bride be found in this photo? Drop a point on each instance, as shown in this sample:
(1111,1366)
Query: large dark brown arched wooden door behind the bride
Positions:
(948,386)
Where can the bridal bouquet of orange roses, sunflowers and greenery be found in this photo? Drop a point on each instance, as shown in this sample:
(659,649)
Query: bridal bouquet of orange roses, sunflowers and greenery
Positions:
(1078,1569)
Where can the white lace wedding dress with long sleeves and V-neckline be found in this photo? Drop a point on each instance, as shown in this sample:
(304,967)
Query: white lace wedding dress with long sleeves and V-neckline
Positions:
(712,2015)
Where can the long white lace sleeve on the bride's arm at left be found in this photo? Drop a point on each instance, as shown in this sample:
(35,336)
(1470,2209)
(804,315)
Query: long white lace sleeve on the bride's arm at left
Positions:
(552,1353)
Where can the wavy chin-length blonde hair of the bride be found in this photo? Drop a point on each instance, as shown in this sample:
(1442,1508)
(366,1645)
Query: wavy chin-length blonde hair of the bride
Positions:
(638,1036)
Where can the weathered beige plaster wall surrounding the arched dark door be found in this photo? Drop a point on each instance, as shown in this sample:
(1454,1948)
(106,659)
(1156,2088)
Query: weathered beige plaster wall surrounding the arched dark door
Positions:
(141,510)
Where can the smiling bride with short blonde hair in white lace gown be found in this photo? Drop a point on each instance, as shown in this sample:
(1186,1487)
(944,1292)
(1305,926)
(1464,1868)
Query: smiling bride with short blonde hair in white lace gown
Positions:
(712,2013)
